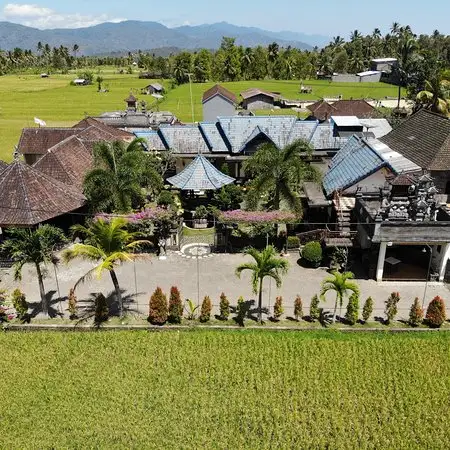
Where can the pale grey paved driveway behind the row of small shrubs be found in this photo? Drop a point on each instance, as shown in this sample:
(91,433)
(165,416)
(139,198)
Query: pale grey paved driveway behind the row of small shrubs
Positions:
(216,275)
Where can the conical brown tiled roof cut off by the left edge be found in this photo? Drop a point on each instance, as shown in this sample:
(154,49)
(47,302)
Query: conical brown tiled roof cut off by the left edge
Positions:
(30,197)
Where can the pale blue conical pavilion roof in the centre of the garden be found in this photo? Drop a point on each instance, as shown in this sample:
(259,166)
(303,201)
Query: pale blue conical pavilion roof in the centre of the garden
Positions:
(200,175)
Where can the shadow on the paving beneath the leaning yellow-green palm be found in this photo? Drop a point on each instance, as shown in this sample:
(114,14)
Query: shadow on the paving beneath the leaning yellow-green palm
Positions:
(86,307)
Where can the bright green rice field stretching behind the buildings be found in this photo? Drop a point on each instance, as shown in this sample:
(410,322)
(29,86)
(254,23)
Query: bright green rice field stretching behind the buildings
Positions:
(23,97)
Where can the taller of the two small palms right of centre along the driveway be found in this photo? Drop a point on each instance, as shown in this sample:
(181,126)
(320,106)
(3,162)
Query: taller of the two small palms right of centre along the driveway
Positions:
(266,264)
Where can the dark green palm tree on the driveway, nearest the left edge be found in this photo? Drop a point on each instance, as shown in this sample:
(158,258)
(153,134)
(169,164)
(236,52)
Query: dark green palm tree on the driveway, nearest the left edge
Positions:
(36,247)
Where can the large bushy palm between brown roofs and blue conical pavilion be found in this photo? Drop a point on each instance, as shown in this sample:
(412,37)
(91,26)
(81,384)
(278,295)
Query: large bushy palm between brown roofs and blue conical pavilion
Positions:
(119,174)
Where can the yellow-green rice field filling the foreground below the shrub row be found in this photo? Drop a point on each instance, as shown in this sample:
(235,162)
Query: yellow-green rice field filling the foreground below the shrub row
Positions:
(207,389)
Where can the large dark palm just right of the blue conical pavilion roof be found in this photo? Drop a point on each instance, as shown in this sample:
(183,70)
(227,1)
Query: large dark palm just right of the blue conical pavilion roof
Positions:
(279,172)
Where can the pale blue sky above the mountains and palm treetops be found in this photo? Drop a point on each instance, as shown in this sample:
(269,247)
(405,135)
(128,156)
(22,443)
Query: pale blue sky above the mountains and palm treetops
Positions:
(326,17)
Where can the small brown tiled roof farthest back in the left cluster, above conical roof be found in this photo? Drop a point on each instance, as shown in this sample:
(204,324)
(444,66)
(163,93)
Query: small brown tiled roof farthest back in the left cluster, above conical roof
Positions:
(37,141)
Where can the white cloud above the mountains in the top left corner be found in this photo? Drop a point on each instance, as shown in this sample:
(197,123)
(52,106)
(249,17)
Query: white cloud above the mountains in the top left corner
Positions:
(40,17)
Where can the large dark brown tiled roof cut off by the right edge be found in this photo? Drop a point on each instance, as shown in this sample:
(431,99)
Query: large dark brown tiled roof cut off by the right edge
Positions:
(424,139)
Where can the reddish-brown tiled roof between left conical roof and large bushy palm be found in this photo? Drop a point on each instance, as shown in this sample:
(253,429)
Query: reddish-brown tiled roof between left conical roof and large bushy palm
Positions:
(67,162)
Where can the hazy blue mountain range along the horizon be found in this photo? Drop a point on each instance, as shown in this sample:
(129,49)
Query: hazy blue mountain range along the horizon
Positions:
(131,35)
